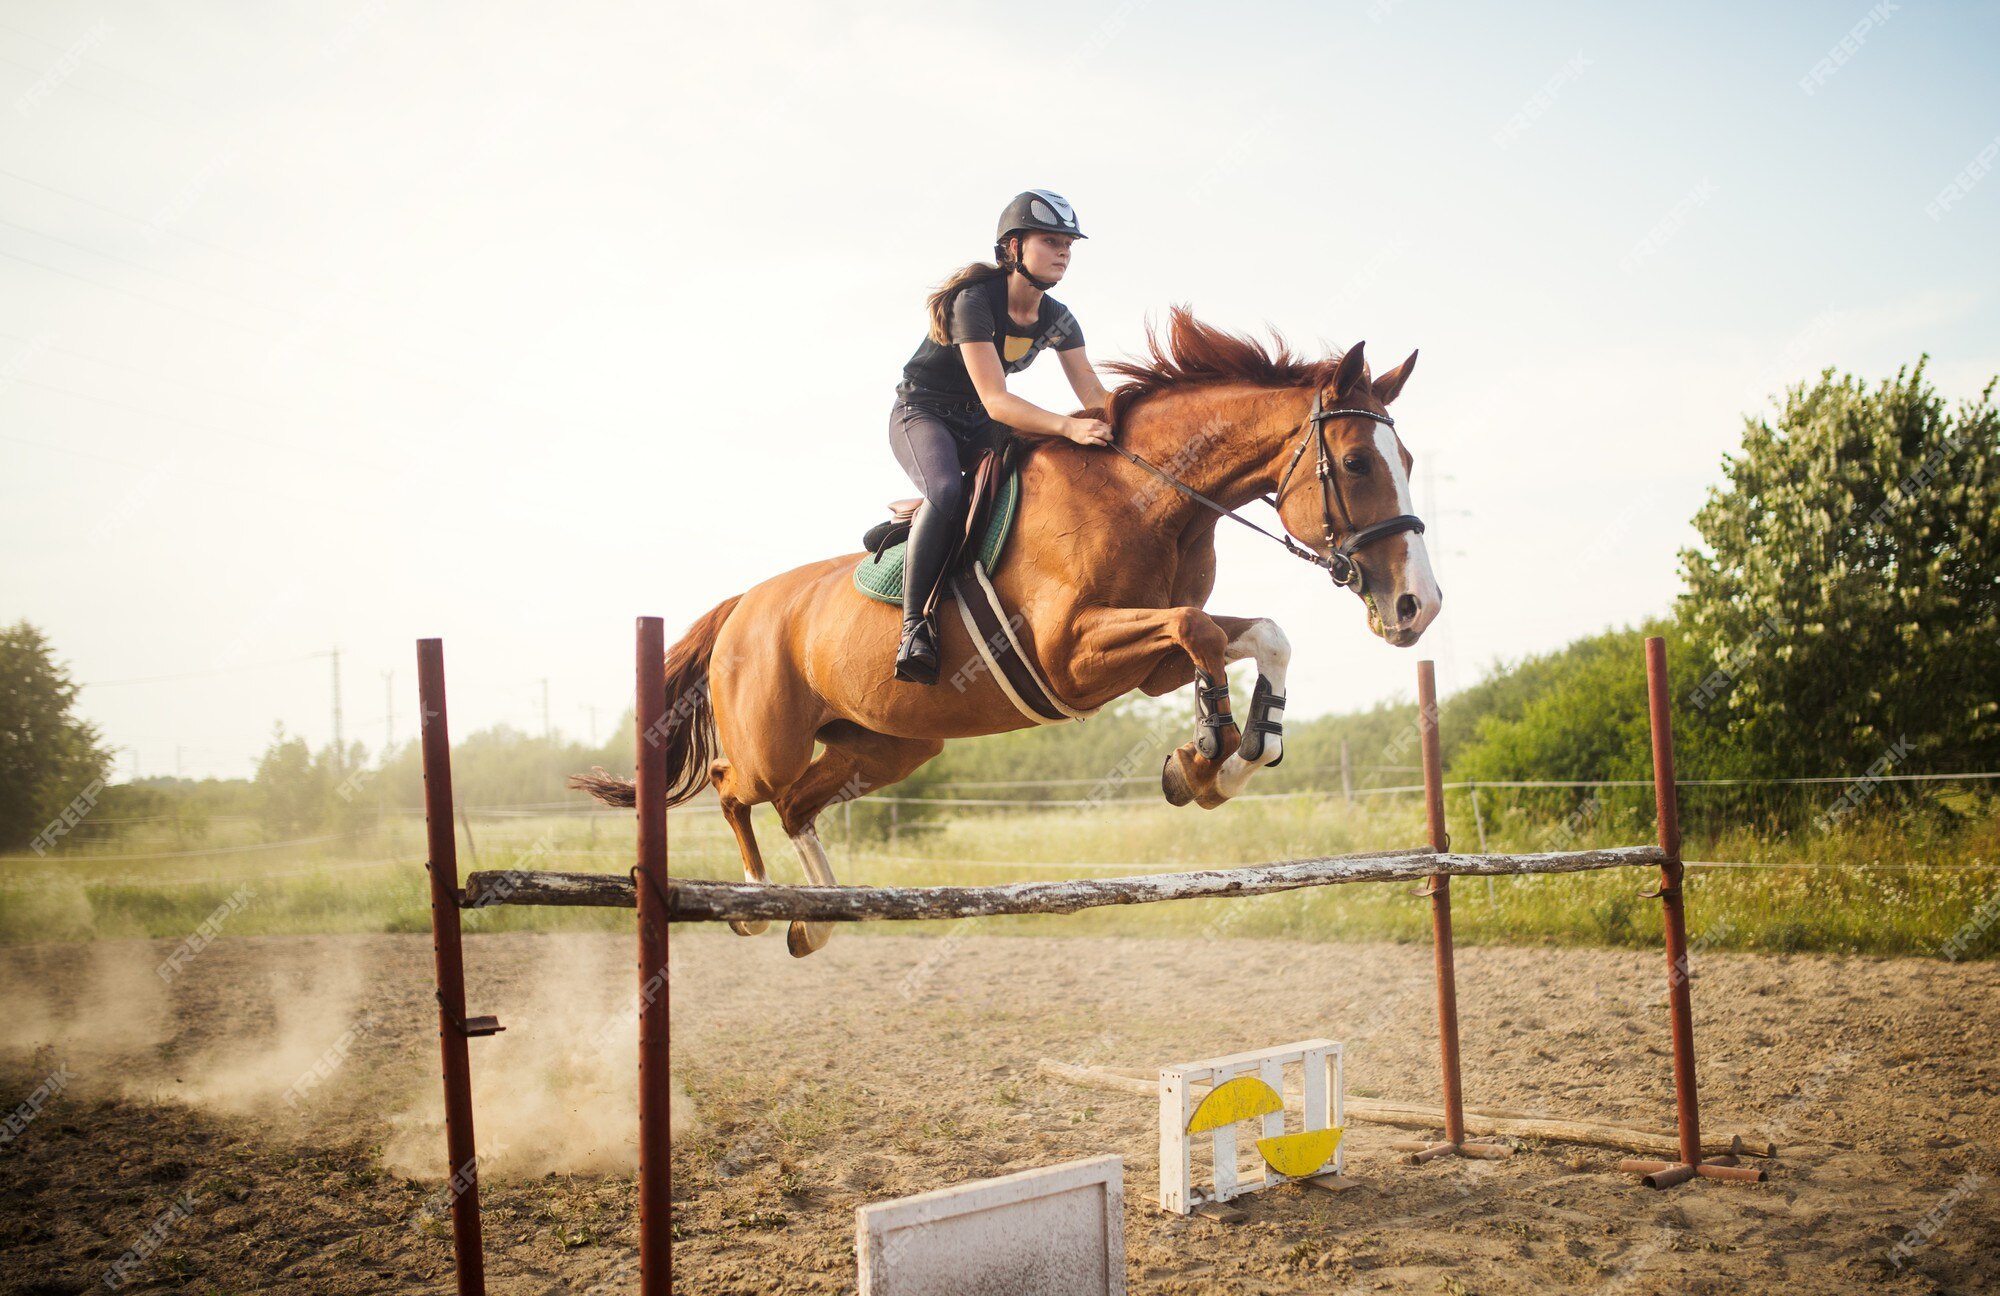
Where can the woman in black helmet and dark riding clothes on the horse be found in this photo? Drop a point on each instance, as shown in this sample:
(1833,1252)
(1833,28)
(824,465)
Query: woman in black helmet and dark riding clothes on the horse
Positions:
(987,321)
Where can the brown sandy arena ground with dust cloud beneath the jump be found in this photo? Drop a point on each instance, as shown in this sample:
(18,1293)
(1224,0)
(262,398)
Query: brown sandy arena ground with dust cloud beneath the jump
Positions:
(267,1117)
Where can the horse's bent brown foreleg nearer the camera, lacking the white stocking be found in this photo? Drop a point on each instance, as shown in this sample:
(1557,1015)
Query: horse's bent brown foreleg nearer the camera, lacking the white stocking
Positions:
(1171,647)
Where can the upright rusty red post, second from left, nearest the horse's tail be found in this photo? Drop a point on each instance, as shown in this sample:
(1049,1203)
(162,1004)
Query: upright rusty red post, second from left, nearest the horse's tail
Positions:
(655,1131)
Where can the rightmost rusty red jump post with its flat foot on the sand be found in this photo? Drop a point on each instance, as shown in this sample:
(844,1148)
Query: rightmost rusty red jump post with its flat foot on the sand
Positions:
(1681,1001)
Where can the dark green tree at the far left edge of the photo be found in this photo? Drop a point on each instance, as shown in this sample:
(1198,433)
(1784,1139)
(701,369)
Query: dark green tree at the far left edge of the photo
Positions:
(49,759)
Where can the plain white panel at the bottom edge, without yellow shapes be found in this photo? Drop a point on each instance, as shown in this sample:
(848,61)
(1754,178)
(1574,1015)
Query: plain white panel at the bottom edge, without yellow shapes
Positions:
(1057,1231)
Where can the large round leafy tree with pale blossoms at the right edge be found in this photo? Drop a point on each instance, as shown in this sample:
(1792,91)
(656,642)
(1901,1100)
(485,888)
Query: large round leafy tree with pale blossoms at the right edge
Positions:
(1847,593)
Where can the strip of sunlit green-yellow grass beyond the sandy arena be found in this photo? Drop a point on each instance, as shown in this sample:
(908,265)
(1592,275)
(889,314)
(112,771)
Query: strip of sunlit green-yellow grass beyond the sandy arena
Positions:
(1871,887)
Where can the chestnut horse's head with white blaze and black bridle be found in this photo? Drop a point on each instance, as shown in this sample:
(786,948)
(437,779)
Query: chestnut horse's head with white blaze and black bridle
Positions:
(1353,505)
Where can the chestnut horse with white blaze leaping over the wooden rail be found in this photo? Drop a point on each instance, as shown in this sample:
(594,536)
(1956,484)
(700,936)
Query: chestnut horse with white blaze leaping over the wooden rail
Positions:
(1109,569)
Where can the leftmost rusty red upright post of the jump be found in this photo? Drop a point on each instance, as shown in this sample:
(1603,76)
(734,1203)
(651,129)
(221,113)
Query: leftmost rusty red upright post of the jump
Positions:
(443,865)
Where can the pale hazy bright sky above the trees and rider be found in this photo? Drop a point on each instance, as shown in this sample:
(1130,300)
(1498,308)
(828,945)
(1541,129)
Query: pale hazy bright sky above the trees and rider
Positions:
(339,327)
